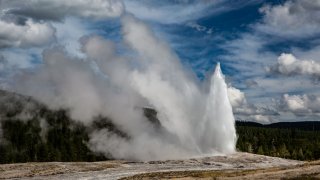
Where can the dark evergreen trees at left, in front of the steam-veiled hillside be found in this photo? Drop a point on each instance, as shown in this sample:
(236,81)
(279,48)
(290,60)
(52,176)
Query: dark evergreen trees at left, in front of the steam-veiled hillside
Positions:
(64,141)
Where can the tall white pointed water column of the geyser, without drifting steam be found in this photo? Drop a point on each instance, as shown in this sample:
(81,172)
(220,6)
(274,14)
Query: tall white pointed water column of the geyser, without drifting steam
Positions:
(218,125)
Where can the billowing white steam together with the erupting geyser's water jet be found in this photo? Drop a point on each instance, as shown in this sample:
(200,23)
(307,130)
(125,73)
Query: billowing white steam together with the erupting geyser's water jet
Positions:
(194,120)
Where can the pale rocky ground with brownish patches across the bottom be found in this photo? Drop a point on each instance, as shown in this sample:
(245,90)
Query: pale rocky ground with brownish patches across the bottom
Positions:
(235,166)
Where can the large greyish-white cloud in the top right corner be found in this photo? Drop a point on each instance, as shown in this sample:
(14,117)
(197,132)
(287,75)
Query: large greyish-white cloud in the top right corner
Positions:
(294,18)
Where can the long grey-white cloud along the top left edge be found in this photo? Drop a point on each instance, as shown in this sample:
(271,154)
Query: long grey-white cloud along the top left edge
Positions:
(59,9)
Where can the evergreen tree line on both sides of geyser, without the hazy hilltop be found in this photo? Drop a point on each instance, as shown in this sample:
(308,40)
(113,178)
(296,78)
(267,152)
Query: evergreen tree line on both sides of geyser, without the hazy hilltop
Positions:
(66,140)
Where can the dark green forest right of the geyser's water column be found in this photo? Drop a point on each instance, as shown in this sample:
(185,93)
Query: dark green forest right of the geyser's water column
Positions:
(295,140)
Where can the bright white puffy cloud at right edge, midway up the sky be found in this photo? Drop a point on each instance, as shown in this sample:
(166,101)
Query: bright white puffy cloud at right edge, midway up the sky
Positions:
(288,65)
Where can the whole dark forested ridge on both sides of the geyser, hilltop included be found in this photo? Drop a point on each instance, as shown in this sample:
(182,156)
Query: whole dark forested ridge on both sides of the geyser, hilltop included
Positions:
(32,132)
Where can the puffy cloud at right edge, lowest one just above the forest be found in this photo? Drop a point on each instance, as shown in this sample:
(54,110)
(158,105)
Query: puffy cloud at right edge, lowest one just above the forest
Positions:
(301,105)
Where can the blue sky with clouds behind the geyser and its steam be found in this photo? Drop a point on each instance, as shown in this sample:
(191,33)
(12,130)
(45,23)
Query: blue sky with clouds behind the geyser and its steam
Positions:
(269,50)
